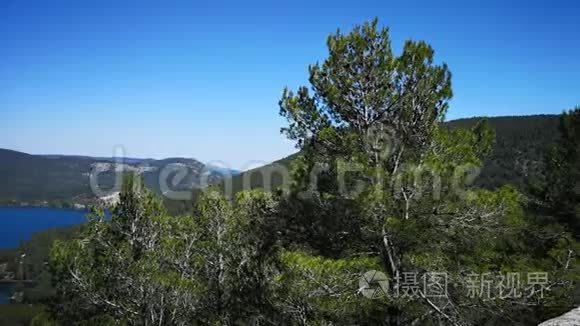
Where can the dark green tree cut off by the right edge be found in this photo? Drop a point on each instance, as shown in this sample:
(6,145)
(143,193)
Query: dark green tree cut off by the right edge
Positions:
(553,212)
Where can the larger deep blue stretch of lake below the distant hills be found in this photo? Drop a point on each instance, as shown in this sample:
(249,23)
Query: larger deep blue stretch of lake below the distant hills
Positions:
(17,224)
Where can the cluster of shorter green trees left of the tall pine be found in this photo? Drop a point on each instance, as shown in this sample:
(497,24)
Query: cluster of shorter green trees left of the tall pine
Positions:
(144,266)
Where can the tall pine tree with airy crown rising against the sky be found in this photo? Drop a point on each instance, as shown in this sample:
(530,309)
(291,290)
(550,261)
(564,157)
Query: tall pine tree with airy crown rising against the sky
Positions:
(369,130)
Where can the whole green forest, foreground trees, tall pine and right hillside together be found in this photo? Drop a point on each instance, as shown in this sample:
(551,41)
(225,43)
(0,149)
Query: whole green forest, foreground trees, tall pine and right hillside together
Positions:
(388,215)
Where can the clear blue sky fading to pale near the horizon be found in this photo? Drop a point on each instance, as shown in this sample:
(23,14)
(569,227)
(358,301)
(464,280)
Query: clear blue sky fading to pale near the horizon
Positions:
(202,78)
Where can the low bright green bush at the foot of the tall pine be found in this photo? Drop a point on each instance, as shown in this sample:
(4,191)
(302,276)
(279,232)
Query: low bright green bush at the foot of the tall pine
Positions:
(317,290)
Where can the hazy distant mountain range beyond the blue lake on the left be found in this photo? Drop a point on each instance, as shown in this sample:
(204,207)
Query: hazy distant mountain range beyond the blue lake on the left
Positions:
(54,179)
